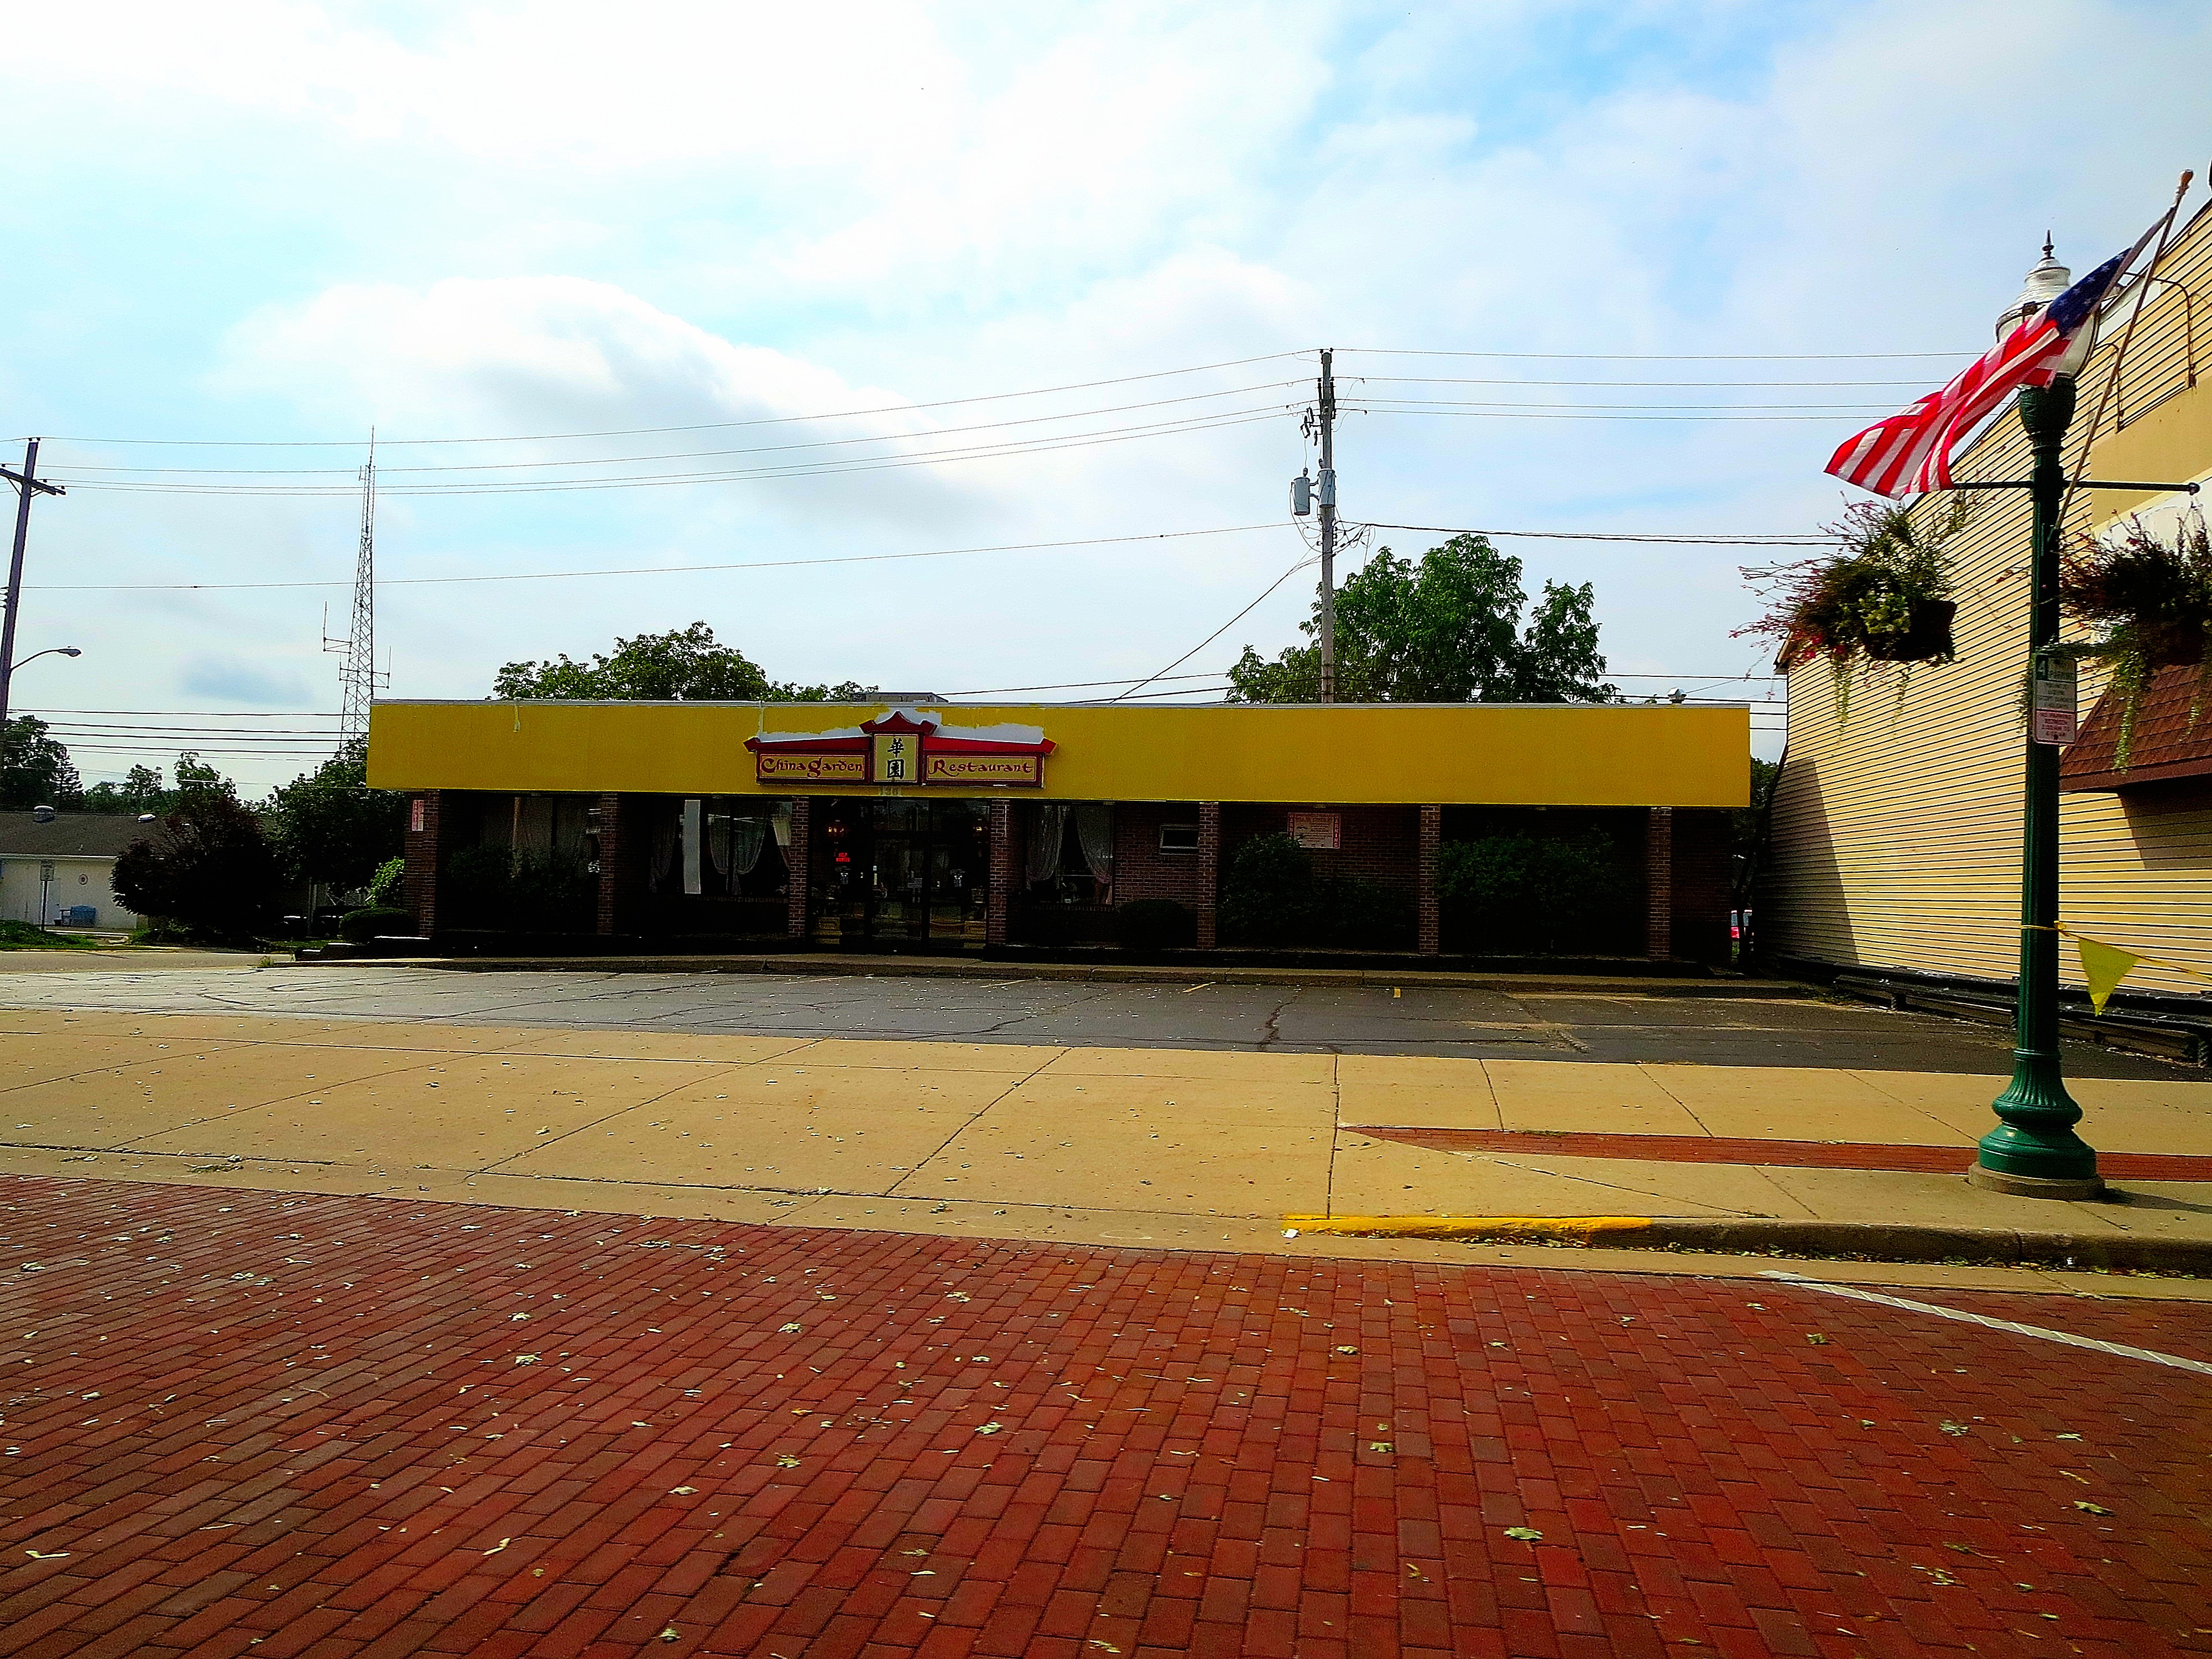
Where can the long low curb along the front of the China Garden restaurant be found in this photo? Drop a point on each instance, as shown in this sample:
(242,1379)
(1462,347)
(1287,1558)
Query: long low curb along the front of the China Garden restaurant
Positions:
(1092,972)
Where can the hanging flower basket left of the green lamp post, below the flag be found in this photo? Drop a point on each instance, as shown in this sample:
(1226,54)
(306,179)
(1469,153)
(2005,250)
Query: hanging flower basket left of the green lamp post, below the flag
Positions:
(1881,596)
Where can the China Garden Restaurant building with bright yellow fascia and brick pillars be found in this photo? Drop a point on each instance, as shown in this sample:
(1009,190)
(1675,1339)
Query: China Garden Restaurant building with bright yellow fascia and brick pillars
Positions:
(917,824)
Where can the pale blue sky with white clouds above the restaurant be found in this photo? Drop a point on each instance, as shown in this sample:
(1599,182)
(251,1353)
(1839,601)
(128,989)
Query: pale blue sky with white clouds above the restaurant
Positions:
(824,289)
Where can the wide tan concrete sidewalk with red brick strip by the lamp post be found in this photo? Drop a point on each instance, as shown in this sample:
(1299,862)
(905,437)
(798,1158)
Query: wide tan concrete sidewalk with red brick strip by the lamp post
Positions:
(1158,1147)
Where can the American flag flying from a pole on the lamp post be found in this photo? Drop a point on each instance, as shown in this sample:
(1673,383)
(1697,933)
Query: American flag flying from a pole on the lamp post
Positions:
(1912,452)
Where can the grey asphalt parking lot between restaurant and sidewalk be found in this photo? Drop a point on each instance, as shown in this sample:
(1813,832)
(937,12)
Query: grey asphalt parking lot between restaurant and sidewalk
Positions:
(1375,1021)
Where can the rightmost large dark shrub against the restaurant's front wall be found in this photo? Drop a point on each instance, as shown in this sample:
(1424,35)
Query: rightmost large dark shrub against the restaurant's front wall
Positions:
(1538,895)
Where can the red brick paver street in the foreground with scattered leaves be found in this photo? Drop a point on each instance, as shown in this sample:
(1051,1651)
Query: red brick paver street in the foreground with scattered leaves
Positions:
(278,1426)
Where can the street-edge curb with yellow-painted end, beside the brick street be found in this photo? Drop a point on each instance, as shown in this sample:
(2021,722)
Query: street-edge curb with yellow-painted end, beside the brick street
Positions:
(1762,1235)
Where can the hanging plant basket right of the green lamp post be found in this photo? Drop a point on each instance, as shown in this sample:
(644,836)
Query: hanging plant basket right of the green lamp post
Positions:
(2151,603)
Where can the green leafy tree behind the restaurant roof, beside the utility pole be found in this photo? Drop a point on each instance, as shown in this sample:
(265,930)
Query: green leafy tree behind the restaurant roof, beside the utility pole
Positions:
(1441,632)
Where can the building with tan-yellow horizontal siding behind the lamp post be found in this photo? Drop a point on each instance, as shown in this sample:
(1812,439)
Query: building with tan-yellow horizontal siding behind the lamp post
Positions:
(1897,820)
